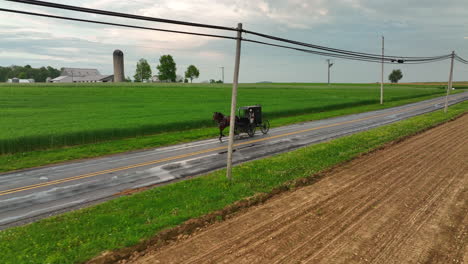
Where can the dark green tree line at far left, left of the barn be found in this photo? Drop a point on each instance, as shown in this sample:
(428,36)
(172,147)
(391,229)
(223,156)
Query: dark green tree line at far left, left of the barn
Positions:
(28,72)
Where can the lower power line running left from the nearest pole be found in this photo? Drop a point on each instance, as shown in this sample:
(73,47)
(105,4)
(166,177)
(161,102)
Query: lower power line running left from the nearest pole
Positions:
(114,24)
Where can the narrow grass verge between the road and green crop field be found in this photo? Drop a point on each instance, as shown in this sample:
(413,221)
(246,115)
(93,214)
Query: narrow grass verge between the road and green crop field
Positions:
(31,159)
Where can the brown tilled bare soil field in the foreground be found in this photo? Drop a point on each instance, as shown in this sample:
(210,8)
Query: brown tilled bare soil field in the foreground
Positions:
(404,204)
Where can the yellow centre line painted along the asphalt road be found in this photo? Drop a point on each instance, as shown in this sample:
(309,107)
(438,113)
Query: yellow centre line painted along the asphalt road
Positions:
(88,175)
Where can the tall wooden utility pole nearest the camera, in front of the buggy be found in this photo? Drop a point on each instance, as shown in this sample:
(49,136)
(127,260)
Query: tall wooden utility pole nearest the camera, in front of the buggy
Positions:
(234,102)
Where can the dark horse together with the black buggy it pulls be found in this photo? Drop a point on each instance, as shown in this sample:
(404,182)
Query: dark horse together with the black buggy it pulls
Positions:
(248,120)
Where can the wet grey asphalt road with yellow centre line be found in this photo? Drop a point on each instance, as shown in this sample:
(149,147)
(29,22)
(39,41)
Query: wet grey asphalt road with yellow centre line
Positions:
(28,195)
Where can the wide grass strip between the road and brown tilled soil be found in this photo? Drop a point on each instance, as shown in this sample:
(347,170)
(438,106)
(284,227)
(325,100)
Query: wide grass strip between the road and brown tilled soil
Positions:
(80,235)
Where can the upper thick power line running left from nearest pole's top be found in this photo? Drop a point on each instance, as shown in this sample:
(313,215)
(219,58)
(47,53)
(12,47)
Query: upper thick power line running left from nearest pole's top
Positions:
(117,14)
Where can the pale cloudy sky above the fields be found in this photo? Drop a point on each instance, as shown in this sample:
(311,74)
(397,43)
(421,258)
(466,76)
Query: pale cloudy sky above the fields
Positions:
(410,27)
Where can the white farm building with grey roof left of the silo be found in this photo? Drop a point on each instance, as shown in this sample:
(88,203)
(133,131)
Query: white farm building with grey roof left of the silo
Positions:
(78,75)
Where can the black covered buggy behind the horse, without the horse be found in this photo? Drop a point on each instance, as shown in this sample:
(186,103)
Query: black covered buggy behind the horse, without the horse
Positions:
(250,117)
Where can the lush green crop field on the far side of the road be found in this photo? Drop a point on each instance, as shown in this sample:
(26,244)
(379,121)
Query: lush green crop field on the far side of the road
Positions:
(34,117)
